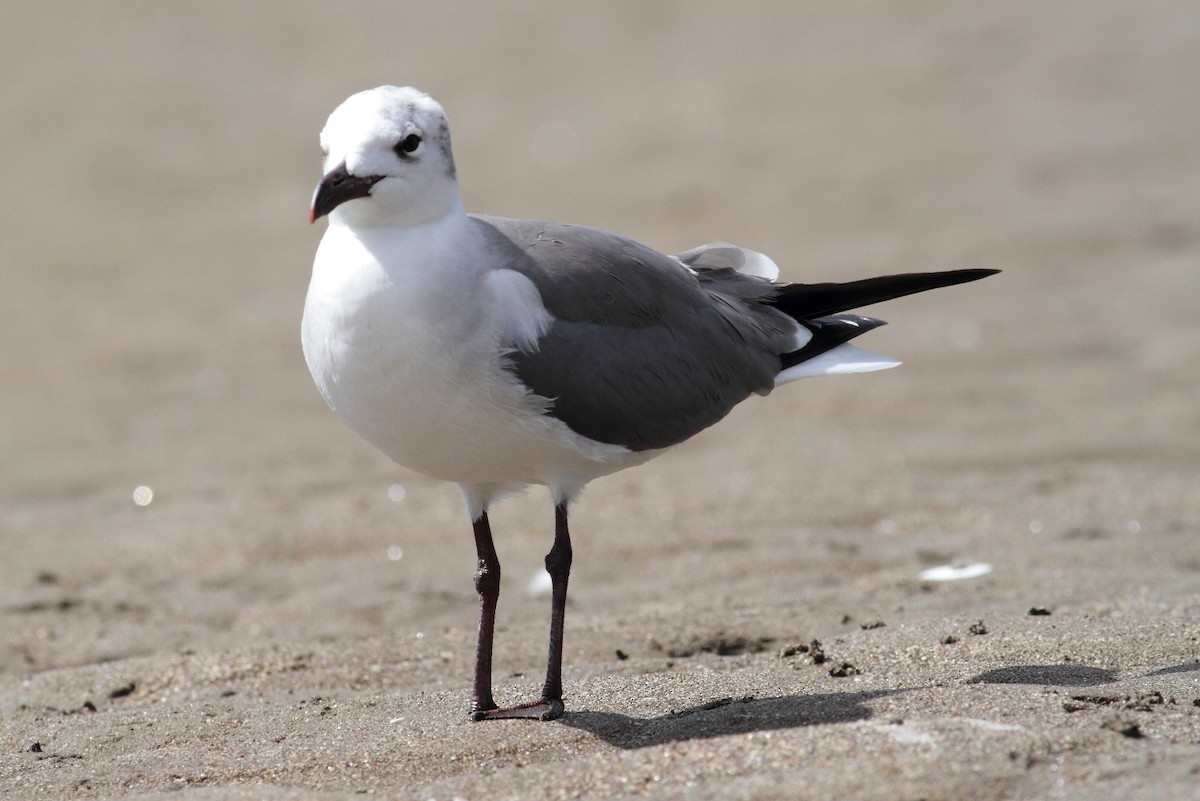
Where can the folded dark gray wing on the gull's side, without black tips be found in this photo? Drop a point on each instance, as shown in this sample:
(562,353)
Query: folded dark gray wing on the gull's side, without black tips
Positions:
(644,352)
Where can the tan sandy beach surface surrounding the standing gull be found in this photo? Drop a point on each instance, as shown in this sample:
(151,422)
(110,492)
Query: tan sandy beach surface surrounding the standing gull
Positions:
(292,616)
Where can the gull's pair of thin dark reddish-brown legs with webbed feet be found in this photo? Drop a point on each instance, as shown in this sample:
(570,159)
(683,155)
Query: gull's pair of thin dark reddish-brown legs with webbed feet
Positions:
(559,565)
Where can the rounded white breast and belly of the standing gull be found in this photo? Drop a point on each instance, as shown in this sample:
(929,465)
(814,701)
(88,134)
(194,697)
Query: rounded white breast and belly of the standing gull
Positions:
(399,363)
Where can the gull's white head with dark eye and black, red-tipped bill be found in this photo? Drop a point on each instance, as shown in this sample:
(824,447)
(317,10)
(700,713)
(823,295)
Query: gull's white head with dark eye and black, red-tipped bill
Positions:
(388,160)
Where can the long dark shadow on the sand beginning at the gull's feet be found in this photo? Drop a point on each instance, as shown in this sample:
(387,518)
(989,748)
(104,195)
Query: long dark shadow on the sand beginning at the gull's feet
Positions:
(727,716)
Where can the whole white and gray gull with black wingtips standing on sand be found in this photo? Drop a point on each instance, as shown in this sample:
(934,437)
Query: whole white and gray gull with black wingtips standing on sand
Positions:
(501,353)
